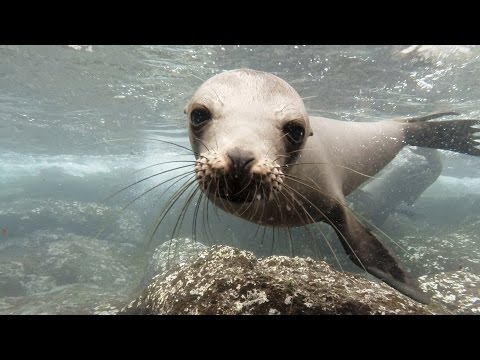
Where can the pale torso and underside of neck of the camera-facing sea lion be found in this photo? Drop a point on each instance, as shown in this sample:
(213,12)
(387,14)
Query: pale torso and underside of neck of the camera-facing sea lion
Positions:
(337,158)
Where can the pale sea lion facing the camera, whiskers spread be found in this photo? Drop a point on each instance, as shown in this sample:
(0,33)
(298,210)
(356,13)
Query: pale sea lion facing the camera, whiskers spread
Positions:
(260,156)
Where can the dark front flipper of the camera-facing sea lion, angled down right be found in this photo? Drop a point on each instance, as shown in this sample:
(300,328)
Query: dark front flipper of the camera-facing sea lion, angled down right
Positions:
(367,252)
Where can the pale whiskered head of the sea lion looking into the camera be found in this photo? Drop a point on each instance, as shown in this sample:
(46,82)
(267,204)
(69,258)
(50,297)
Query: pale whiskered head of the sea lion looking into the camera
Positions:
(245,127)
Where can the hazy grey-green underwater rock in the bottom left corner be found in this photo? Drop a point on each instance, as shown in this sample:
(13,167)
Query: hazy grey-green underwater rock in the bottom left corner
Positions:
(64,273)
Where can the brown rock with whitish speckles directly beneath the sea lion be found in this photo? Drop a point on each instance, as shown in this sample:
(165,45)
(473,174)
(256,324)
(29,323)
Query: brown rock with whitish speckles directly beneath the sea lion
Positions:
(226,280)
